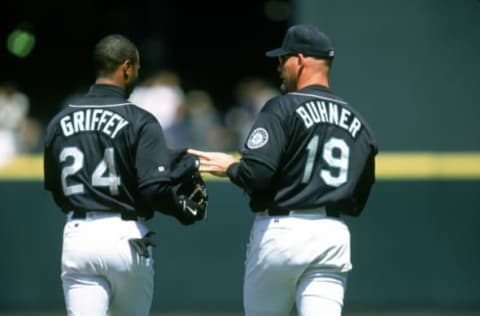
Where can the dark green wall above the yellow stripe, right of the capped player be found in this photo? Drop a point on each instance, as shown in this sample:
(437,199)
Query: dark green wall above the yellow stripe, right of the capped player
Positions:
(411,67)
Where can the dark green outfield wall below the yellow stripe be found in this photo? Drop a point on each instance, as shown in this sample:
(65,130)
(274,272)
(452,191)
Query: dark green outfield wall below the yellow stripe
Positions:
(415,245)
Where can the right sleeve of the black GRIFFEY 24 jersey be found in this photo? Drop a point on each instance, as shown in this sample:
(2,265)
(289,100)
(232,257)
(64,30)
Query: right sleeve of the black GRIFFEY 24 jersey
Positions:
(153,157)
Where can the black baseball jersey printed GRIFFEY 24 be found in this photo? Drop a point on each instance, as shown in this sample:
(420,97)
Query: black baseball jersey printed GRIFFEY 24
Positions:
(101,150)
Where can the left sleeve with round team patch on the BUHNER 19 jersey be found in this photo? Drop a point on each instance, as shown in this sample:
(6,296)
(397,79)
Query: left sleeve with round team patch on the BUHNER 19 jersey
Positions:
(267,139)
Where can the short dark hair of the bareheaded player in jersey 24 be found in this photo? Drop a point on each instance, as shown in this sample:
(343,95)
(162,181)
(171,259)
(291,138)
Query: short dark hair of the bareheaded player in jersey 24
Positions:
(111,51)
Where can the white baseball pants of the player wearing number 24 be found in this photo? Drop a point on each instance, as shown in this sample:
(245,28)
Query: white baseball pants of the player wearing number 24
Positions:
(101,273)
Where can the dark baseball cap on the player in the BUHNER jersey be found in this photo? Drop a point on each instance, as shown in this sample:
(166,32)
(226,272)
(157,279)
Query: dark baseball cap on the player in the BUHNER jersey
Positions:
(306,39)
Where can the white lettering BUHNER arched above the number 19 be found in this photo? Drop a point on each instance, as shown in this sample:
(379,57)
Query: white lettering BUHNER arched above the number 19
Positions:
(315,112)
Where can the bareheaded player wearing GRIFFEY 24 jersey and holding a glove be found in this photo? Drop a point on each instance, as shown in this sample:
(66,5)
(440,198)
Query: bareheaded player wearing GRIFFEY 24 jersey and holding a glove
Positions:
(108,168)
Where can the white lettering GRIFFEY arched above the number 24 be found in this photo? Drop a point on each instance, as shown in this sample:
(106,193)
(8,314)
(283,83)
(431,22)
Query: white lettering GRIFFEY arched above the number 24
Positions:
(87,120)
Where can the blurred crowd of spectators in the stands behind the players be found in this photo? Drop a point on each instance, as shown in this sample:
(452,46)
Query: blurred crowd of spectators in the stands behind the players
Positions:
(189,118)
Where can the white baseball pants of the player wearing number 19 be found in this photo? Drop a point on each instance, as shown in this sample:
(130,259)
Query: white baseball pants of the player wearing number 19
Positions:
(300,259)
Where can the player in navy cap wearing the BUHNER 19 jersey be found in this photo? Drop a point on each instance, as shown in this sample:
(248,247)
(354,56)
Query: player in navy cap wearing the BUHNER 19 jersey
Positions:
(309,160)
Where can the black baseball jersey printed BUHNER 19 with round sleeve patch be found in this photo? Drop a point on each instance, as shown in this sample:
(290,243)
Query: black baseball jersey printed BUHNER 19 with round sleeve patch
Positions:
(308,149)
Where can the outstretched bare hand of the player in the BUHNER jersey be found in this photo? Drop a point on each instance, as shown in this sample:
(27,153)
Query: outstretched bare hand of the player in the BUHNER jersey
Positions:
(215,163)
